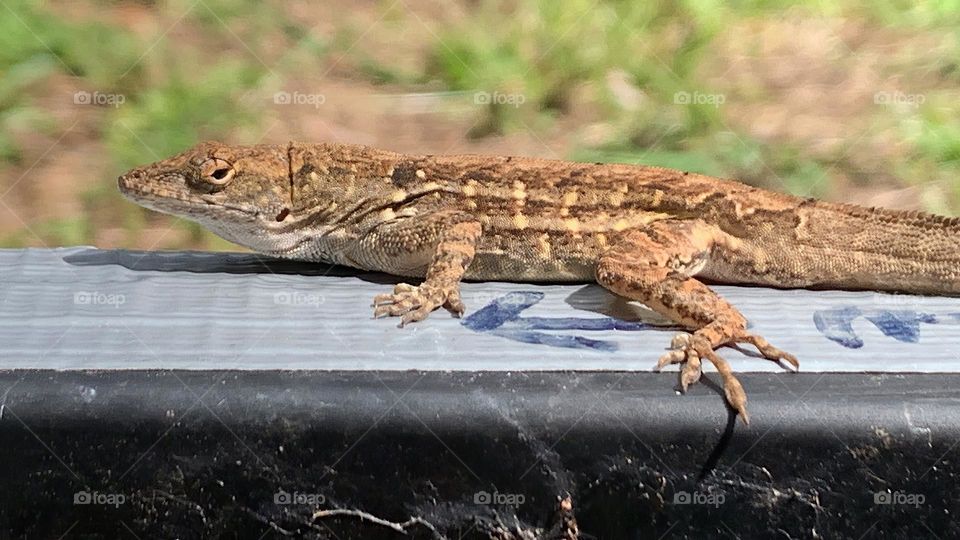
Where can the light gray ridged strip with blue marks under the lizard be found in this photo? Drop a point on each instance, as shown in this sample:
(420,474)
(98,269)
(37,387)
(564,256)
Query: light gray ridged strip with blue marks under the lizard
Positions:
(83,308)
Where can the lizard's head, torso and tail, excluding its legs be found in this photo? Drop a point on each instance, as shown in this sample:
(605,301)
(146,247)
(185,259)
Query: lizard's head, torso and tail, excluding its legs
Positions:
(542,220)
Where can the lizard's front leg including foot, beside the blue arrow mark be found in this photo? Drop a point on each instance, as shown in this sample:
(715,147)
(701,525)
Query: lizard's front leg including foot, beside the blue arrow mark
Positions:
(447,239)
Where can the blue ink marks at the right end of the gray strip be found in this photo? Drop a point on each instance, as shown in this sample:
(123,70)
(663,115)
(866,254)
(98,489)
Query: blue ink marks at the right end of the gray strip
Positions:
(902,325)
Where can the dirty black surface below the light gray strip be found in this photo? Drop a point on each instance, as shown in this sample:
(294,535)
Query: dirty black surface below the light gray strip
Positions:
(180,454)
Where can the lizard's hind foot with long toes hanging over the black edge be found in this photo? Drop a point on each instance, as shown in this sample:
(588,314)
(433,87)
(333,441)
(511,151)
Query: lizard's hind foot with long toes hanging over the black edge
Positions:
(688,349)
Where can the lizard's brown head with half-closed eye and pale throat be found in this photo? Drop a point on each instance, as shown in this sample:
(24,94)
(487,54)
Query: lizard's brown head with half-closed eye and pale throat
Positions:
(239,192)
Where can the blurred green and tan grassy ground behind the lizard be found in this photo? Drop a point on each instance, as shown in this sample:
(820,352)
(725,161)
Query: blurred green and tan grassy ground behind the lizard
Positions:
(852,101)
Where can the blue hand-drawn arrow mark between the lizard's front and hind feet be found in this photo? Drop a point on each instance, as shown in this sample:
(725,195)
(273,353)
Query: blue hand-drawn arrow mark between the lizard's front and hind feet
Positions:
(501,318)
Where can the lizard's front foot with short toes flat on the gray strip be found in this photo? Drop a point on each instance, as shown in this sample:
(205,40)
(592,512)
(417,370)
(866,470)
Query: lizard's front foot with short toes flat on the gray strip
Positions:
(414,303)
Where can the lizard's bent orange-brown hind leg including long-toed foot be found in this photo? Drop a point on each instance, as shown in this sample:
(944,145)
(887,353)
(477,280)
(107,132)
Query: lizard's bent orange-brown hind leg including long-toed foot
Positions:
(655,266)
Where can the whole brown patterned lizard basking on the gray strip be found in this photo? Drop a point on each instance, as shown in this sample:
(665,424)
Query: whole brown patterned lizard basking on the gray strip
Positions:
(648,234)
